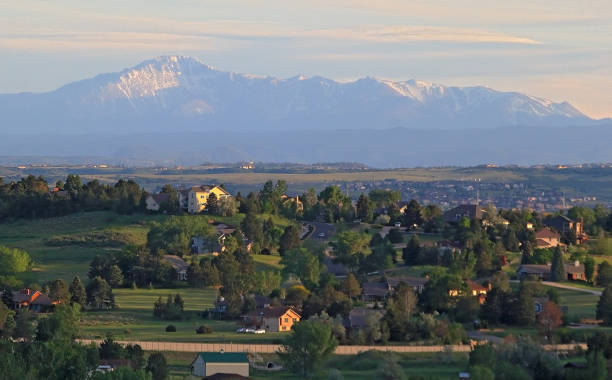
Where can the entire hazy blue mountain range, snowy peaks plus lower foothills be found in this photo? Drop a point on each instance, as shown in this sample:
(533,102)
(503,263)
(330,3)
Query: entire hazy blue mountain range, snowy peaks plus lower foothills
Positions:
(142,108)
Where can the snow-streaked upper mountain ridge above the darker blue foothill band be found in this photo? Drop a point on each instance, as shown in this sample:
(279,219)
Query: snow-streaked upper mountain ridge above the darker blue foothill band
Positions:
(173,93)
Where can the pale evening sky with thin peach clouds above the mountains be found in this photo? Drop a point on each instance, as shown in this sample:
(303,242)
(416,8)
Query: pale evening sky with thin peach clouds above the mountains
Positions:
(560,50)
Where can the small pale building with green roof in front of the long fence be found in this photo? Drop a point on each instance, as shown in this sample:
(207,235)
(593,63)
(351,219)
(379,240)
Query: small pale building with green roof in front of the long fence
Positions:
(210,363)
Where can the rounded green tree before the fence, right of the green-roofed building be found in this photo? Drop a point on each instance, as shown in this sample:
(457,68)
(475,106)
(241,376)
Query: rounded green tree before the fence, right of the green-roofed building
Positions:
(309,346)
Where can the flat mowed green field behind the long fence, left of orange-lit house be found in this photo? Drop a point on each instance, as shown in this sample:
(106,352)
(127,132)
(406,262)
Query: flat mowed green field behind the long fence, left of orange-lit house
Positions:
(134,321)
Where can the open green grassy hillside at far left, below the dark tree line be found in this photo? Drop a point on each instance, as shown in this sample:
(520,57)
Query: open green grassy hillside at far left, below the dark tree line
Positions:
(51,262)
